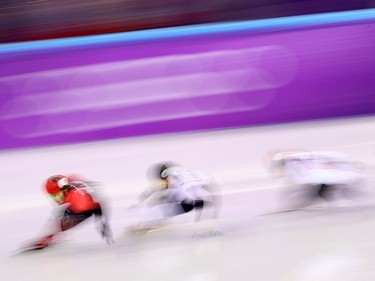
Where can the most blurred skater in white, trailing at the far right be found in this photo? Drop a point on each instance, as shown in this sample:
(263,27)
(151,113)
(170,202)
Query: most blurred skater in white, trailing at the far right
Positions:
(316,175)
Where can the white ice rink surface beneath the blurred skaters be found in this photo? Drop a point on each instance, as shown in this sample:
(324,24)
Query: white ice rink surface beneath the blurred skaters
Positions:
(327,244)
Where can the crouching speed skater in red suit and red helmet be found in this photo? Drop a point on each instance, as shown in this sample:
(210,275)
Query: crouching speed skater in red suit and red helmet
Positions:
(80,205)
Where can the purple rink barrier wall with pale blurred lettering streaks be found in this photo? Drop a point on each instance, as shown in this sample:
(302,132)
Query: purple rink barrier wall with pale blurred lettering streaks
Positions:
(183,84)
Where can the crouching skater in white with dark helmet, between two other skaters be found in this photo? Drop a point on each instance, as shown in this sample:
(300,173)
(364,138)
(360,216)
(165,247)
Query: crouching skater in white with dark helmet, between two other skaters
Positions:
(175,191)
